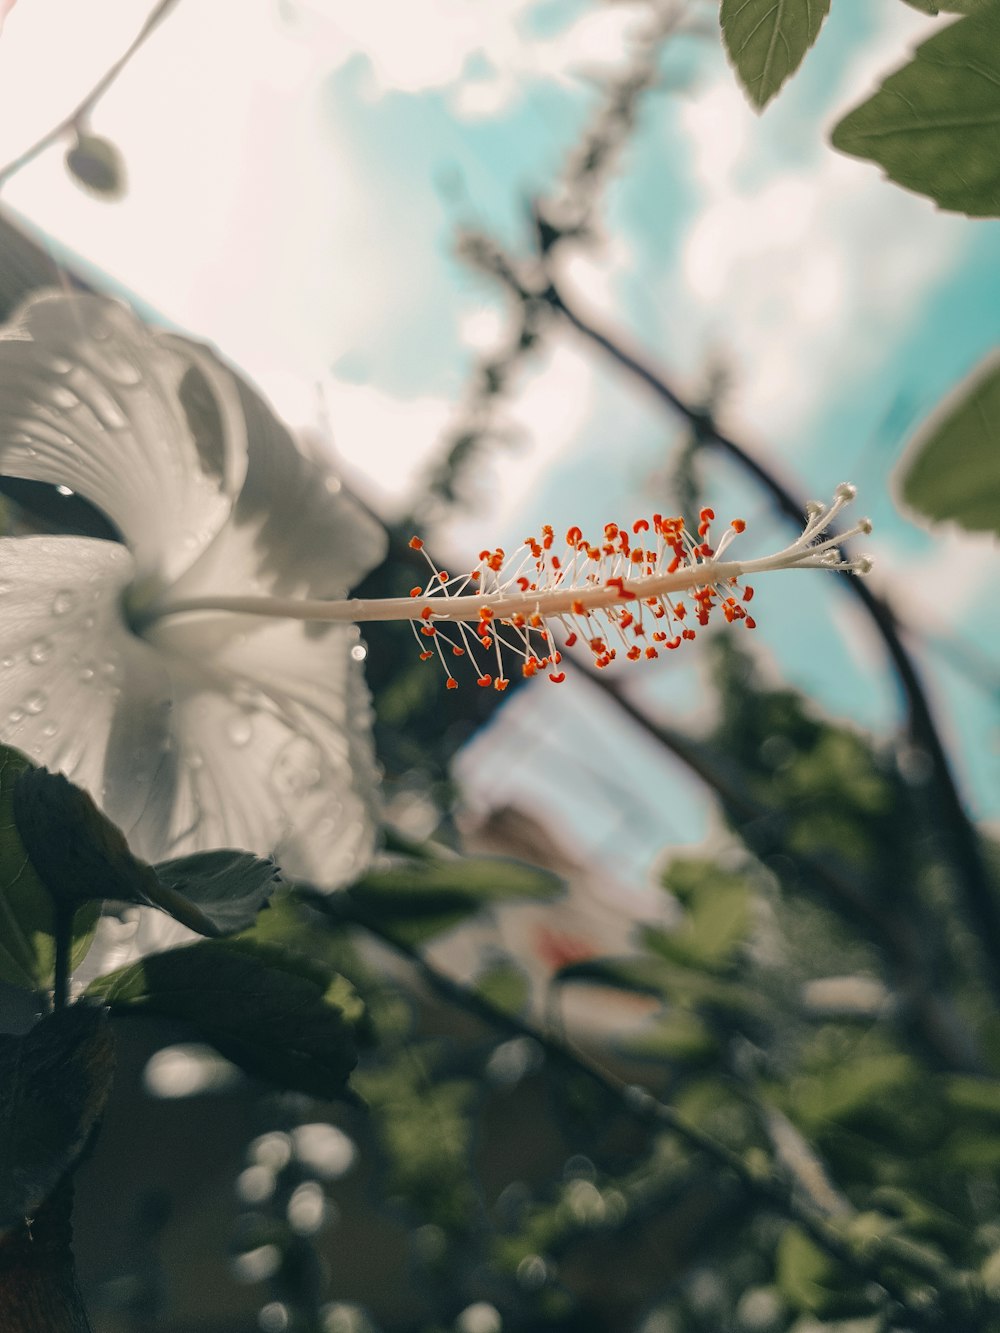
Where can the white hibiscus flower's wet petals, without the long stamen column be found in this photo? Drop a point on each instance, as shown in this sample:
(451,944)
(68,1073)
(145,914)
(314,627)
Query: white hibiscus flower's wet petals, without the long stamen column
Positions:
(193,731)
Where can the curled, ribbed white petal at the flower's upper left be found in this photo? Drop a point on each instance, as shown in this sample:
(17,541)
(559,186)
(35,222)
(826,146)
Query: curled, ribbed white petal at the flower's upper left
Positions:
(146,427)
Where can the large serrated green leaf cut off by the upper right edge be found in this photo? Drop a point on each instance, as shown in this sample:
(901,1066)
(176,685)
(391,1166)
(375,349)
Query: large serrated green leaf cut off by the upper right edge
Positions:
(934,125)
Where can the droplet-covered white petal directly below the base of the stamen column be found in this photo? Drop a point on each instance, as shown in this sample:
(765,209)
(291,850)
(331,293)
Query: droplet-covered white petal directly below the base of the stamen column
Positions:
(273,739)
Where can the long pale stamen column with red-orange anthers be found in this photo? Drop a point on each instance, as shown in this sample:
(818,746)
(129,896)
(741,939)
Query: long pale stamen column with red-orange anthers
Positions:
(634,595)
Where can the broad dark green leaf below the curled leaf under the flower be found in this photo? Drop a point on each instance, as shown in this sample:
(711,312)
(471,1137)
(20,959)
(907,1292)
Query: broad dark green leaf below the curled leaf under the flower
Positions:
(278,1015)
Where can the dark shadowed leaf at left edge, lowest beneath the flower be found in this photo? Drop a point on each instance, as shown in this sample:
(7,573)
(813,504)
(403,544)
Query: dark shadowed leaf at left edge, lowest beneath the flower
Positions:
(54,1083)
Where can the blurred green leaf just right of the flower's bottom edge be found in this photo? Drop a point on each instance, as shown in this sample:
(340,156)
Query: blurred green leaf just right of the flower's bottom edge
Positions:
(421,899)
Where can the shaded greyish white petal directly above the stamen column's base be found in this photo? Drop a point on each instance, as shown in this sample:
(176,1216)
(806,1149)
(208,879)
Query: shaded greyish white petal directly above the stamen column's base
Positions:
(294,531)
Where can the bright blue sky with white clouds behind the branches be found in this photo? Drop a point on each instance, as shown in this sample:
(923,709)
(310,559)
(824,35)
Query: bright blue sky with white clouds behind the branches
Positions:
(297,174)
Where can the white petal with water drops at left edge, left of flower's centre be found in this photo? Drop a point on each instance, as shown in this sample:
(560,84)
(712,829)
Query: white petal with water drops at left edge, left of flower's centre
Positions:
(71,674)
